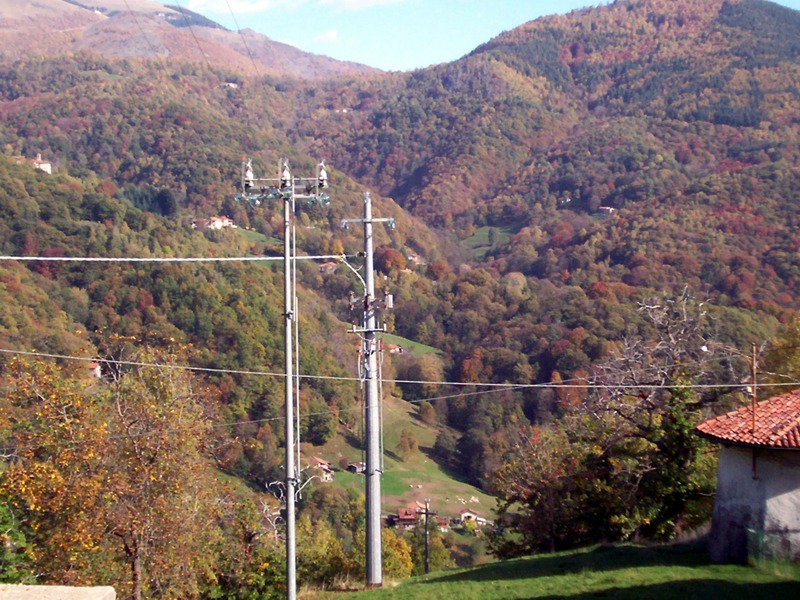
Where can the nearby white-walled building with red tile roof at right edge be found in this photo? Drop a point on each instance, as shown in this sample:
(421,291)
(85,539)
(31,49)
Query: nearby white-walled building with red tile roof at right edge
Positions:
(757,505)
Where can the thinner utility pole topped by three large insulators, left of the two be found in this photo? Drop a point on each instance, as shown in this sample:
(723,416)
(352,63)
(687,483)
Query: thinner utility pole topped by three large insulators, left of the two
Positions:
(255,191)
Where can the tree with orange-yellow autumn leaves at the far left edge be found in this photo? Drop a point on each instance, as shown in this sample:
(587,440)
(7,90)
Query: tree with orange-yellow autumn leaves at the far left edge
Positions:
(53,479)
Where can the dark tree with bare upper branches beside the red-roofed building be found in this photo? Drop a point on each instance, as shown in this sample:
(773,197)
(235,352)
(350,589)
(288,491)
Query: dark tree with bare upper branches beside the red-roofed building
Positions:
(625,461)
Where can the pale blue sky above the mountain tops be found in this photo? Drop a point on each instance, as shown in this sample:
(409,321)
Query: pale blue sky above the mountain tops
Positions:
(393,35)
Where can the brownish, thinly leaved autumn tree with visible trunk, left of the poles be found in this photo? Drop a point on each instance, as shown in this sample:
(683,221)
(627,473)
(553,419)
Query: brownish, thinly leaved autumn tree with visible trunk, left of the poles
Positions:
(161,488)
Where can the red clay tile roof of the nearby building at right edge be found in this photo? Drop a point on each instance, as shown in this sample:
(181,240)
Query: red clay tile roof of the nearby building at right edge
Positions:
(777,424)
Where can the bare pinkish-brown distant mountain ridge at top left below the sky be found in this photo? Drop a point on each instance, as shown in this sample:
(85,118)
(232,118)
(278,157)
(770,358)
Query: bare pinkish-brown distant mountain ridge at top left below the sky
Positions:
(150,30)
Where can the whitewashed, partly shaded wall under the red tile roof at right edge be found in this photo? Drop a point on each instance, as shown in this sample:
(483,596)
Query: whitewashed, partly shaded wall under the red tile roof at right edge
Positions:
(763,496)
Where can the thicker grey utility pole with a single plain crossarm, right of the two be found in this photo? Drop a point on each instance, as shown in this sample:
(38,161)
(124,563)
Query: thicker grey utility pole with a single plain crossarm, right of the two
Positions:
(374,571)
